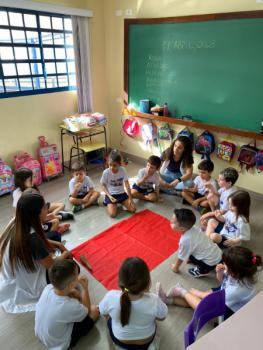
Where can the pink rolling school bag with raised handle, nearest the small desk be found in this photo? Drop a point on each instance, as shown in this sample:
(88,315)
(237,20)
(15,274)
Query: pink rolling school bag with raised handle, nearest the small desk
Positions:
(49,159)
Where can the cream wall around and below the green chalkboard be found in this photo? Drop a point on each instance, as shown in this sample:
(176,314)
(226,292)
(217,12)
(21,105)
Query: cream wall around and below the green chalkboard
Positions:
(114,39)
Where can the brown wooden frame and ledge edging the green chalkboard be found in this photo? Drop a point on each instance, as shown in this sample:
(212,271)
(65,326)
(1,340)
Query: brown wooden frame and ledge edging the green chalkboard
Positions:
(192,18)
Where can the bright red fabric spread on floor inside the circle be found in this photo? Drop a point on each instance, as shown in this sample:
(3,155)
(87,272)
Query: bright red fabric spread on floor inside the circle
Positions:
(146,234)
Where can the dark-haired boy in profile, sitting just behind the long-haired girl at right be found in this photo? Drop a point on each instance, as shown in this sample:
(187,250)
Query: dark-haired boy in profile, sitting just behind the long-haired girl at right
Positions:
(219,199)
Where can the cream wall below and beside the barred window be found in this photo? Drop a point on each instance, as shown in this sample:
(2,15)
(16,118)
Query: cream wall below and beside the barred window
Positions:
(23,119)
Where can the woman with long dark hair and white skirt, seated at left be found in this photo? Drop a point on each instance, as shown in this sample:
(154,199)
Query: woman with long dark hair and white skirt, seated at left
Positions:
(25,256)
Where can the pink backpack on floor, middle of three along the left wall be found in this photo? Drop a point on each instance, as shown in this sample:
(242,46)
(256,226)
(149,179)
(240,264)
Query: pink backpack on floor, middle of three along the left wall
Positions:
(27,161)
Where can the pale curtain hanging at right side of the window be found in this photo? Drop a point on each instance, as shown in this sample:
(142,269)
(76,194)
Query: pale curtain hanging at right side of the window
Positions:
(81,40)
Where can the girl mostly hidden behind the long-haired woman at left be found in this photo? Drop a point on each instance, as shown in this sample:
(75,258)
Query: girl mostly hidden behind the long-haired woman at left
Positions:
(23,180)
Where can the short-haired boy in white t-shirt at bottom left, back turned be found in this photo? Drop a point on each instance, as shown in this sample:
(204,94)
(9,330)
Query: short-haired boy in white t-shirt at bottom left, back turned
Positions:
(63,313)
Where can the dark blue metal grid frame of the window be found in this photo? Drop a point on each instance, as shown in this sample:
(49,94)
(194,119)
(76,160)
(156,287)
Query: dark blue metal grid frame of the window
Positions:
(33,90)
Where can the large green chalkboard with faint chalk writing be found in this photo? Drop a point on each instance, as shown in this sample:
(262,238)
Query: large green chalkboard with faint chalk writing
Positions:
(211,69)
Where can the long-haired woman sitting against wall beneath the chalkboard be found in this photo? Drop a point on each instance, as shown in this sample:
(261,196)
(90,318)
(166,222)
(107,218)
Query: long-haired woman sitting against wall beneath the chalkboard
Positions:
(177,168)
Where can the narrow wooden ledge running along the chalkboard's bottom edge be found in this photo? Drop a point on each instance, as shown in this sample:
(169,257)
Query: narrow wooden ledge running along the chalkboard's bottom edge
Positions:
(199,125)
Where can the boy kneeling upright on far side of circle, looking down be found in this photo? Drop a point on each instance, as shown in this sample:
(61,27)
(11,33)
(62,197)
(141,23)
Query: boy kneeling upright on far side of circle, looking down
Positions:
(113,181)
